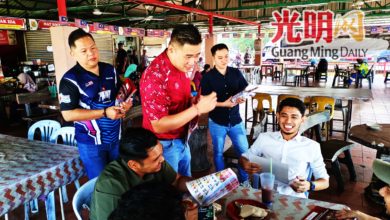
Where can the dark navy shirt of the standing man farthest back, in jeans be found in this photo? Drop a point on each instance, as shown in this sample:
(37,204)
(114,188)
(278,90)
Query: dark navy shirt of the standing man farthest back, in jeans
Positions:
(225,86)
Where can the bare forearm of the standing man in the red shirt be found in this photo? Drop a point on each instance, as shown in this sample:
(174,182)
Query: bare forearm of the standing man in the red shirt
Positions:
(172,122)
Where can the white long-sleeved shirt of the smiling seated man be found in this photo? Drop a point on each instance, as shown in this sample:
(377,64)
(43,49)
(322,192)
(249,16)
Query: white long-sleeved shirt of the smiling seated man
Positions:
(301,154)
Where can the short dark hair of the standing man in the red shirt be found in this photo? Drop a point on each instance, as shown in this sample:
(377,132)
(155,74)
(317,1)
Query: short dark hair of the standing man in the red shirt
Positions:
(186,34)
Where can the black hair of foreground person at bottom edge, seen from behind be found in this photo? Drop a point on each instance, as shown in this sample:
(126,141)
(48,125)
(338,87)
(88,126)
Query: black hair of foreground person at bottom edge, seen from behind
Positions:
(150,201)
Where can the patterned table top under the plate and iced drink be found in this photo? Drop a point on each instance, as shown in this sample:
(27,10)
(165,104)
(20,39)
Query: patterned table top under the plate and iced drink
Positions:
(284,207)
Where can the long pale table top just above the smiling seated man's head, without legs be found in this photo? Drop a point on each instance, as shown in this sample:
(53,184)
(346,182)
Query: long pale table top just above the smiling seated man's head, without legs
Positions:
(338,93)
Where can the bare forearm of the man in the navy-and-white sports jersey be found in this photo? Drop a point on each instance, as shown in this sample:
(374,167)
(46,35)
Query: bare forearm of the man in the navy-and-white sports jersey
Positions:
(82,114)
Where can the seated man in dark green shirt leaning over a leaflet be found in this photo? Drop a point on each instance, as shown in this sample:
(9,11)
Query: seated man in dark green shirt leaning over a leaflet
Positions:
(140,161)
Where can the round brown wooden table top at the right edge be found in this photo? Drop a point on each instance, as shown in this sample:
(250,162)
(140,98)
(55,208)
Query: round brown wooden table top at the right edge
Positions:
(366,136)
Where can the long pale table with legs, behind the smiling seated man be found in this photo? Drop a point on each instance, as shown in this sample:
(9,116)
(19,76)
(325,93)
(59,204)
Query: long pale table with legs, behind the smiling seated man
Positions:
(337,93)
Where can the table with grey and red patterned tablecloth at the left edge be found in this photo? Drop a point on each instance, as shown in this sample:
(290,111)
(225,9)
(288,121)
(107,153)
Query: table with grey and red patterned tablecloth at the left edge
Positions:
(29,169)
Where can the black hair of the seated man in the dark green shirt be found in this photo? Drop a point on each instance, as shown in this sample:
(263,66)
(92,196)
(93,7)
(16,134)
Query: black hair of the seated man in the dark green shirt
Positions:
(135,144)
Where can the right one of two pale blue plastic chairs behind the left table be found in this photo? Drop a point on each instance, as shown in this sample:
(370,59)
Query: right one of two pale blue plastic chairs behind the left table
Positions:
(67,135)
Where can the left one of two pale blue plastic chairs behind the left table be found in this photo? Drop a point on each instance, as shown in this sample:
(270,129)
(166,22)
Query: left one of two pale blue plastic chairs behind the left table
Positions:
(46,128)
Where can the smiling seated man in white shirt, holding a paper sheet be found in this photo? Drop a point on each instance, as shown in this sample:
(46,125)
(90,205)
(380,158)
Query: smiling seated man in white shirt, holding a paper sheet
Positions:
(301,154)
